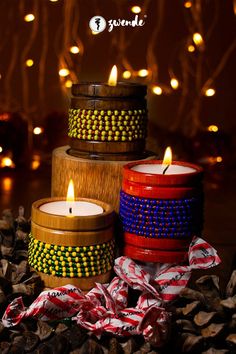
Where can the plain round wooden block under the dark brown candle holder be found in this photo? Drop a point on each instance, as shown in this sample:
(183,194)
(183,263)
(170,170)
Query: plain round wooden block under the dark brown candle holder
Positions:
(97,179)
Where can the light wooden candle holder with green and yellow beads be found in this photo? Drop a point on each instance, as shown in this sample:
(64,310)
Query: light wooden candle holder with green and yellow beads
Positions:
(76,250)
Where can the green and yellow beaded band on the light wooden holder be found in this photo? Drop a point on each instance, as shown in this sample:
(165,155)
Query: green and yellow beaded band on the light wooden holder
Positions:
(70,261)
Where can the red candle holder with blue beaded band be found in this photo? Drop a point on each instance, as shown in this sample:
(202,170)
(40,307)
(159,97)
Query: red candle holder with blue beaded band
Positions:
(160,213)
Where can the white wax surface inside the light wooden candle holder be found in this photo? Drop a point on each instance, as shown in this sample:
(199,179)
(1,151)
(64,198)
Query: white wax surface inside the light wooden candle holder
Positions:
(78,208)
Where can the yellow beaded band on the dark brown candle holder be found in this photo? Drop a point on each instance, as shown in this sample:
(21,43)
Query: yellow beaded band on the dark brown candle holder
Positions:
(107,125)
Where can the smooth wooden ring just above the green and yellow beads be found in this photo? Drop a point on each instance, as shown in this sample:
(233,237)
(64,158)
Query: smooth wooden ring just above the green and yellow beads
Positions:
(71,238)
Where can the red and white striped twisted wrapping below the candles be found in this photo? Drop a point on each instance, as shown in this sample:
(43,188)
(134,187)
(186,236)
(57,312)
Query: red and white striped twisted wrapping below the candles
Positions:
(104,308)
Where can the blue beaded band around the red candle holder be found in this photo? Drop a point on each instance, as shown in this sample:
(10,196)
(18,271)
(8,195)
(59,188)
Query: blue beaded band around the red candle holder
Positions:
(158,218)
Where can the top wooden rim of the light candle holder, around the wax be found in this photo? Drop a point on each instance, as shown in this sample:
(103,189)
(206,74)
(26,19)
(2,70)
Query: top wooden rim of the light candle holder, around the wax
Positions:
(75,223)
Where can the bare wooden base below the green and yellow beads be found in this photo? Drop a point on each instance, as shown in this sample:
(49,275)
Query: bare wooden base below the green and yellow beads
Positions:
(84,283)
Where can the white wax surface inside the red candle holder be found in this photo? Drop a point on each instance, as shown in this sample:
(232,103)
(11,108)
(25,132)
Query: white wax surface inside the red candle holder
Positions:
(157,169)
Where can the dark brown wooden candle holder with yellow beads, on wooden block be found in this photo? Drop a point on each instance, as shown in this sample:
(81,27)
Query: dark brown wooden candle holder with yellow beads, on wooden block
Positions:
(108,120)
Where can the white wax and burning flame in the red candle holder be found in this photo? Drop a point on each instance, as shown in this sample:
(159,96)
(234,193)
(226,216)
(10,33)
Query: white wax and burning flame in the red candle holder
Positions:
(166,167)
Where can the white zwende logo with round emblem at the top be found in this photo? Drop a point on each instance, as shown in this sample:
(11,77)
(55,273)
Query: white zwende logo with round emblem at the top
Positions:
(98,23)
